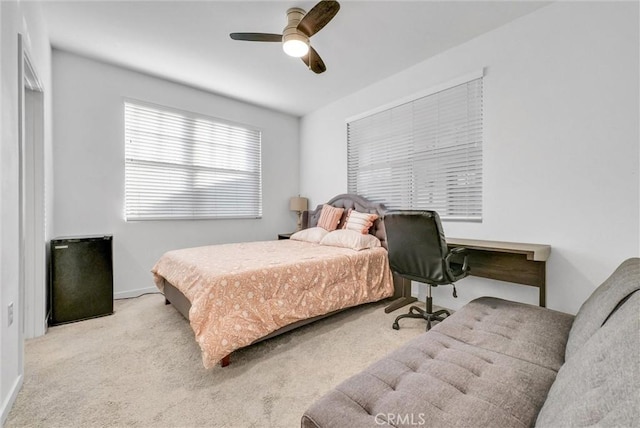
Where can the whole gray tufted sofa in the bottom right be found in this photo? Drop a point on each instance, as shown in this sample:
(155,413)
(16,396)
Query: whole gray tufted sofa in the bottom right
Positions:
(496,363)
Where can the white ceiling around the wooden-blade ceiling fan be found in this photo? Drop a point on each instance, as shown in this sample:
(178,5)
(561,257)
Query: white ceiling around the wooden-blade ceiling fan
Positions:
(188,42)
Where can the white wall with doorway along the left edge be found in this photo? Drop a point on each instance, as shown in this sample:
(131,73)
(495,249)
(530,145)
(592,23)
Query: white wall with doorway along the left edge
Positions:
(24,18)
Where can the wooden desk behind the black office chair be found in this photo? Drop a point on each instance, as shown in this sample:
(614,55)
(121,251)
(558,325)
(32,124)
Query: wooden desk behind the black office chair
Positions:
(515,262)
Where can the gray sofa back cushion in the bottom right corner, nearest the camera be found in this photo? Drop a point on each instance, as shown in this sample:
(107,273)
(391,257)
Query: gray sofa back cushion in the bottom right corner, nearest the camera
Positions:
(600,384)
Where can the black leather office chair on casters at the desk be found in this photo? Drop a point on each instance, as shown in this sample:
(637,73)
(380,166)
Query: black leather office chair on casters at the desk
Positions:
(418,251)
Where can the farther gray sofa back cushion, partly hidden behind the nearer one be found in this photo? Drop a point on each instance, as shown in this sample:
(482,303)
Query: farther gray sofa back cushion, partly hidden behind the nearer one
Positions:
(595,310)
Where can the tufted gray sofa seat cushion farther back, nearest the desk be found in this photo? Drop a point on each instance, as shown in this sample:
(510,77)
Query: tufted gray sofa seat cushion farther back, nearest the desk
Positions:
(530,333)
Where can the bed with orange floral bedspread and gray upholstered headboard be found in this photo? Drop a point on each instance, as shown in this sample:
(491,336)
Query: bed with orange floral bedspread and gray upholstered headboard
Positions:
(235,295)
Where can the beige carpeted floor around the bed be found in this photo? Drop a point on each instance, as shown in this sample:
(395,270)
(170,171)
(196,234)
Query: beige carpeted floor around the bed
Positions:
(141,367)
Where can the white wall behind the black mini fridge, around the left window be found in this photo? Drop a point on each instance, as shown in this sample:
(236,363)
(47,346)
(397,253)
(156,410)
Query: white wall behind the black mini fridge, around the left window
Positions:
(89,166)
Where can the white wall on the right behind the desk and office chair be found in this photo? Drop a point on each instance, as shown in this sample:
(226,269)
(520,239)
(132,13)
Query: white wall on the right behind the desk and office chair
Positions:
(561,143)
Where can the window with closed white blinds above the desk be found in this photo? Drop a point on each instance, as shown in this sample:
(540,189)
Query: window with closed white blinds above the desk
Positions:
(425,153)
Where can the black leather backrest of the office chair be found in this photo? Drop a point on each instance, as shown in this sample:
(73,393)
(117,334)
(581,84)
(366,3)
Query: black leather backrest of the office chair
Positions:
(417,246)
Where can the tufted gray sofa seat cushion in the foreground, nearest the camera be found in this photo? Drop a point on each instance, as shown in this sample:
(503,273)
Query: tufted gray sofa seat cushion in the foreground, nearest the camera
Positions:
(438,380)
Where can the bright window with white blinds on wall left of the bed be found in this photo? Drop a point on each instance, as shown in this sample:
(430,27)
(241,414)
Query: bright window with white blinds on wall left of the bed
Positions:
(179,165)
